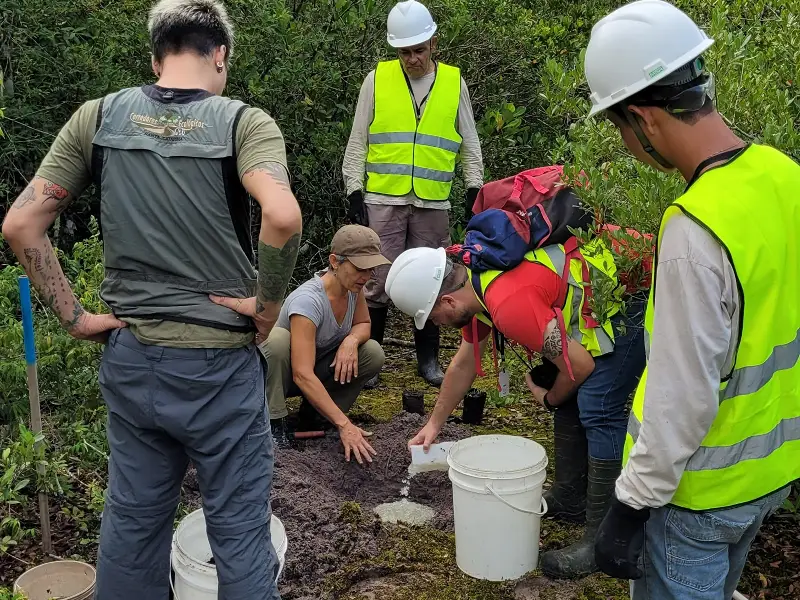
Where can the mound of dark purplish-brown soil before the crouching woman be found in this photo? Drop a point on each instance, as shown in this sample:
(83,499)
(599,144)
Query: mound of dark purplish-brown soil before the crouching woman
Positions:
(313,483)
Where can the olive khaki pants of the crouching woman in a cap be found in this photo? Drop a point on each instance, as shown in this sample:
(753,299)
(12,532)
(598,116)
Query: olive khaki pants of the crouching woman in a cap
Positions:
(280,384)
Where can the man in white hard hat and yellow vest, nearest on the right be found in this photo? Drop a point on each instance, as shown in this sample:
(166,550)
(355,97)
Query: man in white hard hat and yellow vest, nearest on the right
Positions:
(714,436)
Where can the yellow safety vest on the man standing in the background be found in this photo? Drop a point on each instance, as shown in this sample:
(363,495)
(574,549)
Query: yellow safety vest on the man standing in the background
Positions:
(404,153)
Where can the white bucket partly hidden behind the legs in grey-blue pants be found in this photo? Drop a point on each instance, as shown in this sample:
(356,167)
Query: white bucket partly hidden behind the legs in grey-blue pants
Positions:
(195,578)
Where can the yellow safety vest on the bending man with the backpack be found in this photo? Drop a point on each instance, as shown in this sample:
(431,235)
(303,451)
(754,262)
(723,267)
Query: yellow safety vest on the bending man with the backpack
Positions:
(597,340)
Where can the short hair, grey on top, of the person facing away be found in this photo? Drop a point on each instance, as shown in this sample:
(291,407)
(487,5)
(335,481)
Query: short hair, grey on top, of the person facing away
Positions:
(199,26)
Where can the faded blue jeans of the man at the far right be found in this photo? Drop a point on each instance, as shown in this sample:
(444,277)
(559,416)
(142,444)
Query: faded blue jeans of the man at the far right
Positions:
(699,555)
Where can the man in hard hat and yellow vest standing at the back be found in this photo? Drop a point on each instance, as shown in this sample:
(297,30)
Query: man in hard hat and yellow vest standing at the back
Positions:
(413,118)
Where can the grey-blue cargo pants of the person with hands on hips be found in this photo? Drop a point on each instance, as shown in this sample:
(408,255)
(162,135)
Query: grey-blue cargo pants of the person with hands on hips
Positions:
(165,407)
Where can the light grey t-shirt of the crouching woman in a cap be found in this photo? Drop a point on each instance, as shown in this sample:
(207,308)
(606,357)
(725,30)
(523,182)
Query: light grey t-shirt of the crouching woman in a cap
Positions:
(311,301)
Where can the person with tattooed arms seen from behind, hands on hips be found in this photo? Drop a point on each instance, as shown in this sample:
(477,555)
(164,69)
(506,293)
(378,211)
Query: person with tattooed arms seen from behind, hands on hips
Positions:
(181,375)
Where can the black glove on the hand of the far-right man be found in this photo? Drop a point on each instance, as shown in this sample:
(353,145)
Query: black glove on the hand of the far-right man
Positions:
(620,539)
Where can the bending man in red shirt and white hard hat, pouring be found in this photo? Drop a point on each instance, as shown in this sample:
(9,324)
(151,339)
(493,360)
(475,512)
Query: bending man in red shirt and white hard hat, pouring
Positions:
(589,368)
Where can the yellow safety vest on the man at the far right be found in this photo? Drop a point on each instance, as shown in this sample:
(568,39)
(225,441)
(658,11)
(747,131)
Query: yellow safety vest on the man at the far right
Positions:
(751,206)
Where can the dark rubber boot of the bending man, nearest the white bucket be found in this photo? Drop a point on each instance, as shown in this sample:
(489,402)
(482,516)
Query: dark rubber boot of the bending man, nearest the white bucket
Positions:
(577,560)
